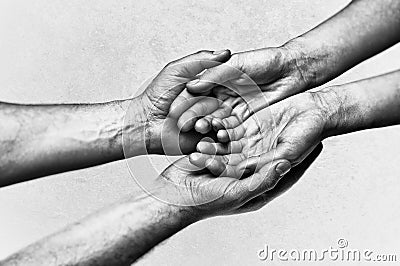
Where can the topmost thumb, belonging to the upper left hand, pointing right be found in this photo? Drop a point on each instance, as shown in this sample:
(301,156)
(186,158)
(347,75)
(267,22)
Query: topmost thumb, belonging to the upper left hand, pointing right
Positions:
(191,65)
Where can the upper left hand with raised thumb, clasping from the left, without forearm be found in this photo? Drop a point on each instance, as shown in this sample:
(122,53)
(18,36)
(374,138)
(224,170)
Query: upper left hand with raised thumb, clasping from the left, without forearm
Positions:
(158,129)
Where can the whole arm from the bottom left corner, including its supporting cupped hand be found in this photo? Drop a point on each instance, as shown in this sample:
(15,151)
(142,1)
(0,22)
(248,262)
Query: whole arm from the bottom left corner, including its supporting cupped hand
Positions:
(182,195)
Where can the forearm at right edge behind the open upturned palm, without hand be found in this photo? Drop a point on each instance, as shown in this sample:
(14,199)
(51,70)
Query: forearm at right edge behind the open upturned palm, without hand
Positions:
(368,103)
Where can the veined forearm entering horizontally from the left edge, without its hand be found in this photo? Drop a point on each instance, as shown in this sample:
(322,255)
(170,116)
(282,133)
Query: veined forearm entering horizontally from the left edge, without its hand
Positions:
(38,140)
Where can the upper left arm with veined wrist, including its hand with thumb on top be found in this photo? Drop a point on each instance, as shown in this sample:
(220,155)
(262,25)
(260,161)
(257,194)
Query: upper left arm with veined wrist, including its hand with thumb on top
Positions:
(39,140)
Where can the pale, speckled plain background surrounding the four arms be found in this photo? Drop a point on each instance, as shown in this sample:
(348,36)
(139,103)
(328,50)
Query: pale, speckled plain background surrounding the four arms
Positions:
(88,51)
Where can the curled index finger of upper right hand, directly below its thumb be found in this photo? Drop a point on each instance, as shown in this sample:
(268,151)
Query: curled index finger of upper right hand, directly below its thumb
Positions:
(199,109)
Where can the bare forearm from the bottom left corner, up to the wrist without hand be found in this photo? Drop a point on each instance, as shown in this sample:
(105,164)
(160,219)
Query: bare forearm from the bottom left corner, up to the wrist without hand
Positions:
(118,235)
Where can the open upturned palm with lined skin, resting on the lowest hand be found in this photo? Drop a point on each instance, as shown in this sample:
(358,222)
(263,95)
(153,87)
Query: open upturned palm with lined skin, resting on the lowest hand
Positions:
(289,130)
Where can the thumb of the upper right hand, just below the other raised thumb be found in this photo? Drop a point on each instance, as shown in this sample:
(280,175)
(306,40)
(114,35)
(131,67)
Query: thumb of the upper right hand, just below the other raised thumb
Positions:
(216,75)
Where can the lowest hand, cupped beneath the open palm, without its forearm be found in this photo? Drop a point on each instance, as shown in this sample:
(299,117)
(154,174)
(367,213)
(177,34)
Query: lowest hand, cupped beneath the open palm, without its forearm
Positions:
(198,191)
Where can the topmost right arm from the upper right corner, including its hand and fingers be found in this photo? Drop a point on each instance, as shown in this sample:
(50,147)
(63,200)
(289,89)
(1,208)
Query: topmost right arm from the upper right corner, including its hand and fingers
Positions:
(361,30)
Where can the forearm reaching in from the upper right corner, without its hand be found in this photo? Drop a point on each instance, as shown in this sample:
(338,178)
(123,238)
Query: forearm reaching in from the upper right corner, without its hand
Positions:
(358,32)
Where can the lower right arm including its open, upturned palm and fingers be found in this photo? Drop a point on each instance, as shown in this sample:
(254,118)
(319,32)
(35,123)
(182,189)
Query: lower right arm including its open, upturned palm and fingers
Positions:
(292,128)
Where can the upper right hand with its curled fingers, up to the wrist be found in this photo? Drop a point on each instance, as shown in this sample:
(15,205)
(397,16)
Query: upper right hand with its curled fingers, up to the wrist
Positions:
(261,77)
